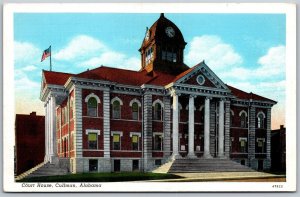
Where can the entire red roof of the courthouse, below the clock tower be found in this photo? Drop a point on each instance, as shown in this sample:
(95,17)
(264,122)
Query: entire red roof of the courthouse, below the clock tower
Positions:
(136,78)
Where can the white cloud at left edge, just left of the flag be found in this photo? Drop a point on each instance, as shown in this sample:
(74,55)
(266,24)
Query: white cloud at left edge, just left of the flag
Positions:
(24,52)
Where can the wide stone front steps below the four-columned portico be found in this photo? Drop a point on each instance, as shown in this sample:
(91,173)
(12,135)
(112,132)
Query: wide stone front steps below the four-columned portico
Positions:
(207,165)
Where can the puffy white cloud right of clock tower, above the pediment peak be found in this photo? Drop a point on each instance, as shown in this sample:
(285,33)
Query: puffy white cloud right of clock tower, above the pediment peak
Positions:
(214,51)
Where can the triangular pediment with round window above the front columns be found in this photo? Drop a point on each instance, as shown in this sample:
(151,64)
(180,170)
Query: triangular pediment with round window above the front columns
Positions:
(202,75)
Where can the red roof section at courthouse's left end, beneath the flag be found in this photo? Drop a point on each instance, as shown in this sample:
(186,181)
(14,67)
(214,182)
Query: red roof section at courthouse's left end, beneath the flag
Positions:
(56,78)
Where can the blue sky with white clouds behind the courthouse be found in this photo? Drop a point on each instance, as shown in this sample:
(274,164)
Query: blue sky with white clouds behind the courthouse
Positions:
(244,50)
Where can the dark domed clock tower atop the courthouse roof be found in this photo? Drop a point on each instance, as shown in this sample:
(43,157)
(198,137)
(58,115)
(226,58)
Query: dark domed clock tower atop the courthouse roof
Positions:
(162,48)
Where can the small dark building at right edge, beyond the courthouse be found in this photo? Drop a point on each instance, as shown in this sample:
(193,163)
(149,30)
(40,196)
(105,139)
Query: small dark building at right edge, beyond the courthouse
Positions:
(278,149)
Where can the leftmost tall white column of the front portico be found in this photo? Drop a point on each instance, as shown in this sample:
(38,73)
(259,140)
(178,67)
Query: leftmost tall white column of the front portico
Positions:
(175,126)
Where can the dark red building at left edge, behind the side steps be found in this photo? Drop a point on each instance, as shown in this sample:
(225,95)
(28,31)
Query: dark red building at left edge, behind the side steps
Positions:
(29,141)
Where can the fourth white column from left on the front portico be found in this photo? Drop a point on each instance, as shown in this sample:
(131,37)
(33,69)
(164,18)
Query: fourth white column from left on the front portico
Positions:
(221,130)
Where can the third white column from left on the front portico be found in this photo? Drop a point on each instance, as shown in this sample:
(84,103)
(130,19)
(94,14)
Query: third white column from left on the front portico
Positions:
(206,129)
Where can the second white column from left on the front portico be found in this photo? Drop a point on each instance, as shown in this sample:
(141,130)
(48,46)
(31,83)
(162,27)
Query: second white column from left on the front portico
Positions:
(191,153)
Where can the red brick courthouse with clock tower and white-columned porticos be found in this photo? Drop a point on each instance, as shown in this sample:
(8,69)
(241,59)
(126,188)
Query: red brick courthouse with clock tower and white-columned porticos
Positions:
(110,119)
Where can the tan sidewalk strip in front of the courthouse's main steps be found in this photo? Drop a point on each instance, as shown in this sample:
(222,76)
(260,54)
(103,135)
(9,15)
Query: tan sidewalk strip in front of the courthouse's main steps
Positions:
(222,176)
